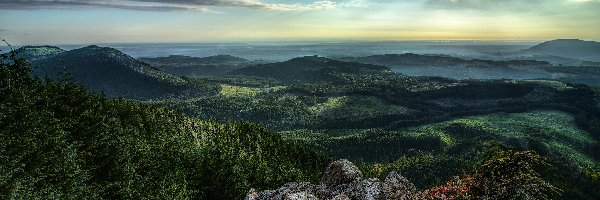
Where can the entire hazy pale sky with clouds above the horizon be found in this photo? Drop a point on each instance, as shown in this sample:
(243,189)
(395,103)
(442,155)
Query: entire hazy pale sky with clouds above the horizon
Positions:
(107,21)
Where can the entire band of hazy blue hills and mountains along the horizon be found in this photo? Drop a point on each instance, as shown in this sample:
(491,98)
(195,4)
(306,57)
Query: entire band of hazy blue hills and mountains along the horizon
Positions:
(118,74)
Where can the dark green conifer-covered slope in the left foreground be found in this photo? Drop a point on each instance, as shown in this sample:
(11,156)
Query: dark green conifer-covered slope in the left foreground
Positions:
(60,141)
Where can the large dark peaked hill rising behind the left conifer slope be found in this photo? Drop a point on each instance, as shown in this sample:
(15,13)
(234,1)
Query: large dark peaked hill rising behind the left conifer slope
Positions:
(108,70)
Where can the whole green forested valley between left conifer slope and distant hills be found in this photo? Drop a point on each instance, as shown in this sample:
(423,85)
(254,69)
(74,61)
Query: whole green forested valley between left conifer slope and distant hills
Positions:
(421,126)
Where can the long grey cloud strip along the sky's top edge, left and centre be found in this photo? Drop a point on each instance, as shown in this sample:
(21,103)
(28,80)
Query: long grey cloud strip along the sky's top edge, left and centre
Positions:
(170,5)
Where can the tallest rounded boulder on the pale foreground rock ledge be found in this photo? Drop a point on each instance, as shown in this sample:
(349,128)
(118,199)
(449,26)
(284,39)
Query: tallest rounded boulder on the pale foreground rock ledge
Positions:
(341,172)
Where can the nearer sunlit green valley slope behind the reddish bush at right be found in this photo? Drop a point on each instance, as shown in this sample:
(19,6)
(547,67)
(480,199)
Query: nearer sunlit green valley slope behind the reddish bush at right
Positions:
(431,154)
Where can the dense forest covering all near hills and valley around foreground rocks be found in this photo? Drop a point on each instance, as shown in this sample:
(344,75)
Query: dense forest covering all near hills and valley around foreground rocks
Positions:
(256,127)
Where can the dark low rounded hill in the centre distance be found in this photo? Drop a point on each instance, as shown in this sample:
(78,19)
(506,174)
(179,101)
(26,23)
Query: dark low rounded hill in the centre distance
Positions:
(309,68)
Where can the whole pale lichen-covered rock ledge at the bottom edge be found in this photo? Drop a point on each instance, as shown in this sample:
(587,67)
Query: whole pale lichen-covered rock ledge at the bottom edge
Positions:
(342,181)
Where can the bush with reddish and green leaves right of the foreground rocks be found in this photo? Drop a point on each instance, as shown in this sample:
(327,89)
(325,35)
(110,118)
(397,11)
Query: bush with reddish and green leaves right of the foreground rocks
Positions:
(502,174)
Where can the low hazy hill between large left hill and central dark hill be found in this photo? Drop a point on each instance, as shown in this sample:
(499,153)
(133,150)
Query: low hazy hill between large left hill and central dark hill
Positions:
(194,66)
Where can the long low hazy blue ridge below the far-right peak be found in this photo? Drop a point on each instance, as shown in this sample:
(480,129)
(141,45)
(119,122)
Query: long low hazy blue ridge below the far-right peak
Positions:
(527,67)
